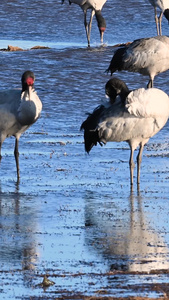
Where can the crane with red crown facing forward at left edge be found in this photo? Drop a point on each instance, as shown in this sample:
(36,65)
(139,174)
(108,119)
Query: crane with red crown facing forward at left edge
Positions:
(19,109)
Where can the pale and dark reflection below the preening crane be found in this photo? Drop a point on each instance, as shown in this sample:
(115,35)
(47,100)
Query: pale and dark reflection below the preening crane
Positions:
(121,232)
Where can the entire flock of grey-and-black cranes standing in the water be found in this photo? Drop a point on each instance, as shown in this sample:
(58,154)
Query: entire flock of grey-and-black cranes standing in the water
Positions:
(131,116)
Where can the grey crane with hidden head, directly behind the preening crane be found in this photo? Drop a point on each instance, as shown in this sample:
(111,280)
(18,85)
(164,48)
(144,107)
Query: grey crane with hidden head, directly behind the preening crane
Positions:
(147,56)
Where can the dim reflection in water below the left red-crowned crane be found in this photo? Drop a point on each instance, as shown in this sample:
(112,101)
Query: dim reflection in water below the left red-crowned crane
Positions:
(17,227)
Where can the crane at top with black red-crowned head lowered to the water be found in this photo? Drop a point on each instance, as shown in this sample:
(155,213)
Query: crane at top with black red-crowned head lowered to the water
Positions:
(95,6)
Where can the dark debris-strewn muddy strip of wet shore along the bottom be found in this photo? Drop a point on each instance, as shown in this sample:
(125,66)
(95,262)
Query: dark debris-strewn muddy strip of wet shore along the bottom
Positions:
(48,289)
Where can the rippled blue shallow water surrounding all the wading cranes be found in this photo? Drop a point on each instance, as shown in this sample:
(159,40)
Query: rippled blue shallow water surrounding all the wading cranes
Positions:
(73,216)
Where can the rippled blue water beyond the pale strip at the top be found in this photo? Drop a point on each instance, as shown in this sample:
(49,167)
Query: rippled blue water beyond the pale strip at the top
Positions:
(51,22)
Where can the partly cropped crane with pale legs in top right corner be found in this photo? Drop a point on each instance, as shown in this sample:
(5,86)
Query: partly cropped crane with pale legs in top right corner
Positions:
(163,5)
